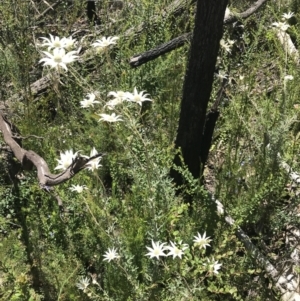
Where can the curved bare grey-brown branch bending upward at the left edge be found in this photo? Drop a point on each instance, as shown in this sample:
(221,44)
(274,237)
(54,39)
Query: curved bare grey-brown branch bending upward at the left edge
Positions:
(28,159)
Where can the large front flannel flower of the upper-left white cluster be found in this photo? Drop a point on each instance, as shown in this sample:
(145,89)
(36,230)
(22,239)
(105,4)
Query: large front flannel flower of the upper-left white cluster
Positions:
(59,58)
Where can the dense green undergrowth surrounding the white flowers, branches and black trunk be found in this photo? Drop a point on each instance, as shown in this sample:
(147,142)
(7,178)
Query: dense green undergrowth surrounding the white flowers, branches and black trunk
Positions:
(131,200)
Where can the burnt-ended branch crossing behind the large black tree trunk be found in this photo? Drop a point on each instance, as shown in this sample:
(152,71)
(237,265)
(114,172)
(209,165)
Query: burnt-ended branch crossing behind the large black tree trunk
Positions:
(142,58)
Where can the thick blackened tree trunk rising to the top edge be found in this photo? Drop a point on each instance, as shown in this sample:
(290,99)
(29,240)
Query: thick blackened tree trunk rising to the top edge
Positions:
(198,84)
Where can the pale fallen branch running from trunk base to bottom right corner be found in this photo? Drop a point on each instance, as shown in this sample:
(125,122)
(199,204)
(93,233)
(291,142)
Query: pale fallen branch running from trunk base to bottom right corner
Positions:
(288,285)
